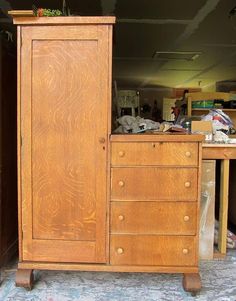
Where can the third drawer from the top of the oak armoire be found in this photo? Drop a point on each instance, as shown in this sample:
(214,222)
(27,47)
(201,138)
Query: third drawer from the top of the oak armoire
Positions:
(154,218)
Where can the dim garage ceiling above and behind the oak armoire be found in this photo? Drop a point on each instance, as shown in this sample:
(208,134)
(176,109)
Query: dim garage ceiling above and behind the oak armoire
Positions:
(145,27)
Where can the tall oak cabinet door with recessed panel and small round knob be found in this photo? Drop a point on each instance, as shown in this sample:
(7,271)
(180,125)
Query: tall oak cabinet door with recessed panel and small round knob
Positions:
(64,105)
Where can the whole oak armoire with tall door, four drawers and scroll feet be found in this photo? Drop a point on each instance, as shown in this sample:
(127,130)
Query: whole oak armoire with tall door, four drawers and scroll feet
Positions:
(72,179)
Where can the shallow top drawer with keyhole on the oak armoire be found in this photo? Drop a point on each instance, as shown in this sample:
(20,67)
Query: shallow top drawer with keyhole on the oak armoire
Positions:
(154,153)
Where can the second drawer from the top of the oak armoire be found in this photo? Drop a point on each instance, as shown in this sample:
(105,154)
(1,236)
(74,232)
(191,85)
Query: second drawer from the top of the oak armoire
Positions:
(154,183)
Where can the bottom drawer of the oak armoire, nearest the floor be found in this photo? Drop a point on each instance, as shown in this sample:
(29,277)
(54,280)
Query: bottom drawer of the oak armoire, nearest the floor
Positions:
(153,250)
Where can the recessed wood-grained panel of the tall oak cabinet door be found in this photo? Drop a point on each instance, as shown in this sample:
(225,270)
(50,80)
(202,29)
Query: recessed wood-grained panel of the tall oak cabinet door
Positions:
(63,153)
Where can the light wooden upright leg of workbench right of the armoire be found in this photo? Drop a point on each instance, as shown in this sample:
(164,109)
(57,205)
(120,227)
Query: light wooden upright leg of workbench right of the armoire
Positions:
(224,198)
